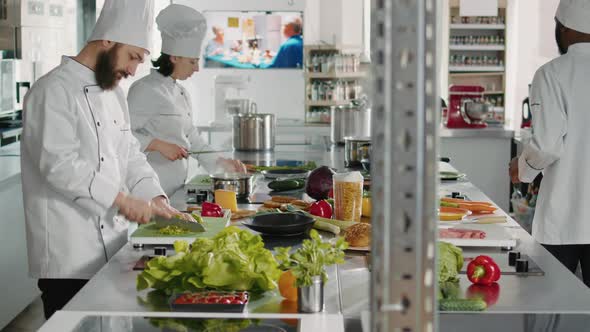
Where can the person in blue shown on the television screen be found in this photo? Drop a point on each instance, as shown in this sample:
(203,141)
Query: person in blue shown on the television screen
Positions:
(290,54)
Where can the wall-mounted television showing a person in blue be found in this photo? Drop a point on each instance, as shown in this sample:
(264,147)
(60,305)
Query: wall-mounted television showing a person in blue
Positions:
(253,40)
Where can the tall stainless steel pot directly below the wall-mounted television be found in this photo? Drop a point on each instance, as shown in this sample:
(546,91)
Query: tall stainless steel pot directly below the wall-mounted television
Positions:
(254,132)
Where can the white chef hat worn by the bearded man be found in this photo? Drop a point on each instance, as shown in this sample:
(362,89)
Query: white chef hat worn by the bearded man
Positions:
(125,21)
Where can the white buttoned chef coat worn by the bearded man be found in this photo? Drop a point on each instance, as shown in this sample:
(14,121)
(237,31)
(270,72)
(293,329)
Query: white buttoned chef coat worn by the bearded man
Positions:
(77,154)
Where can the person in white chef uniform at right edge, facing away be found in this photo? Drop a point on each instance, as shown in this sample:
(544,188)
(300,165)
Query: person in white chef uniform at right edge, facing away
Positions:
(560,107)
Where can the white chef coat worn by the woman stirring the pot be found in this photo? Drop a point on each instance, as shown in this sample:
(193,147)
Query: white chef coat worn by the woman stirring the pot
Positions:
(161,108)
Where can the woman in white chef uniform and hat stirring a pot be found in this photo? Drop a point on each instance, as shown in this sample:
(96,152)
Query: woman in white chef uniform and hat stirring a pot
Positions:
(160,108)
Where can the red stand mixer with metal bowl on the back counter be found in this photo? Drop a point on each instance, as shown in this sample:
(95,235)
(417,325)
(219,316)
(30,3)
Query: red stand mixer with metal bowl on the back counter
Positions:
(467,108)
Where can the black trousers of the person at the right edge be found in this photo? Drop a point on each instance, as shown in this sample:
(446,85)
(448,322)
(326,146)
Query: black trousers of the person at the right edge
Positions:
(572,254)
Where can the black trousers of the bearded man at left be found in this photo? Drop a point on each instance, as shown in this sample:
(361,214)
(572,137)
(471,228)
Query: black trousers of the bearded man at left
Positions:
(56,293)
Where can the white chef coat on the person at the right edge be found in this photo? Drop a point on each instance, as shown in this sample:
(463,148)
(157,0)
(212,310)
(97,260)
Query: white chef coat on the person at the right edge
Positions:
(560,107)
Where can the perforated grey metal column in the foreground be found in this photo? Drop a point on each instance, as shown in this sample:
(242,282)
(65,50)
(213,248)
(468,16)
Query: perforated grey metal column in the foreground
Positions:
(404,126)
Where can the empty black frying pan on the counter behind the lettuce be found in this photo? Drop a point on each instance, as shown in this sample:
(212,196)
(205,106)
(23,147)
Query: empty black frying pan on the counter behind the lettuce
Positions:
(280,224)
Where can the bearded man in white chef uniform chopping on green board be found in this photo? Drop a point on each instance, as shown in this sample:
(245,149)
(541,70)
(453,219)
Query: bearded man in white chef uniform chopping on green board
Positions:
(82,171)
